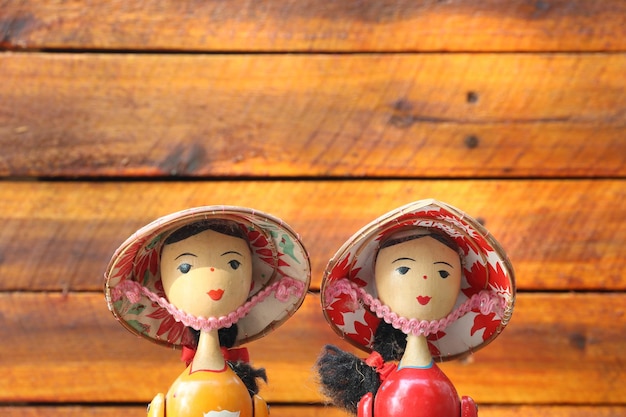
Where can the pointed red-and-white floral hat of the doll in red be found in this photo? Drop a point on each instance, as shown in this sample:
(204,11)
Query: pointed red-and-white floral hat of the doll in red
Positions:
(486,270)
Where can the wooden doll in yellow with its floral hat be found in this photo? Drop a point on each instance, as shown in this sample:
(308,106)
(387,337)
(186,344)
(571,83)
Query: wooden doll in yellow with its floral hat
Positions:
(207,280)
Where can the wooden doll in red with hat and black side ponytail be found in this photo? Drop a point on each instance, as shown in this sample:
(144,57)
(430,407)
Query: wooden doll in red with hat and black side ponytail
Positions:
(421,284)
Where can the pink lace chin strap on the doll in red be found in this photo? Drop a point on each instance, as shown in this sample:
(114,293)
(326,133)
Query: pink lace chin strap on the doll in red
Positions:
(486,301)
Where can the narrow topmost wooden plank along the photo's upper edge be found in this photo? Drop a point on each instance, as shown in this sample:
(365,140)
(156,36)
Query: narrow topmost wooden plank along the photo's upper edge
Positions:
(248,25)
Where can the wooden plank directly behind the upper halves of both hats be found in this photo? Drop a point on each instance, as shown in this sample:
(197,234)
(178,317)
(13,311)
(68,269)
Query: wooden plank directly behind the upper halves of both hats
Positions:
(559,234)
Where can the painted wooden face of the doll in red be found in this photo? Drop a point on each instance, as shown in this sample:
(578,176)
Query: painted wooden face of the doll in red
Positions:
(418,278)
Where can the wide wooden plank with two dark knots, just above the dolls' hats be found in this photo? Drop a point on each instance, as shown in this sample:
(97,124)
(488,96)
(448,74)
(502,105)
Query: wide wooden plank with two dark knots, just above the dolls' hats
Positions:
(375,115)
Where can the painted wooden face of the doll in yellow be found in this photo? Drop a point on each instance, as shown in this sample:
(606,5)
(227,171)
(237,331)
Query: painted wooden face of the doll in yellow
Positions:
(207,274)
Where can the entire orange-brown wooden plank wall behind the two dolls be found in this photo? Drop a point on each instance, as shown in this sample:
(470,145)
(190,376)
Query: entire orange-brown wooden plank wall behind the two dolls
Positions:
(326,114)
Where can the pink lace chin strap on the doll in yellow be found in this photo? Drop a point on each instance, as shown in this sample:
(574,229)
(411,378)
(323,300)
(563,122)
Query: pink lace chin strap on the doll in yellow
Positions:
(283,289)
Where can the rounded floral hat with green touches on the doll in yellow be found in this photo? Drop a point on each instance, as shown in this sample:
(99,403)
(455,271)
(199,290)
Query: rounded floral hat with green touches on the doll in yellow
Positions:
(277,254)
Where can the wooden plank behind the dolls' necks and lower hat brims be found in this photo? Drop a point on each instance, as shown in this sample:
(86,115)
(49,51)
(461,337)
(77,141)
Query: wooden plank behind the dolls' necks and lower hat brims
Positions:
(558,349)
